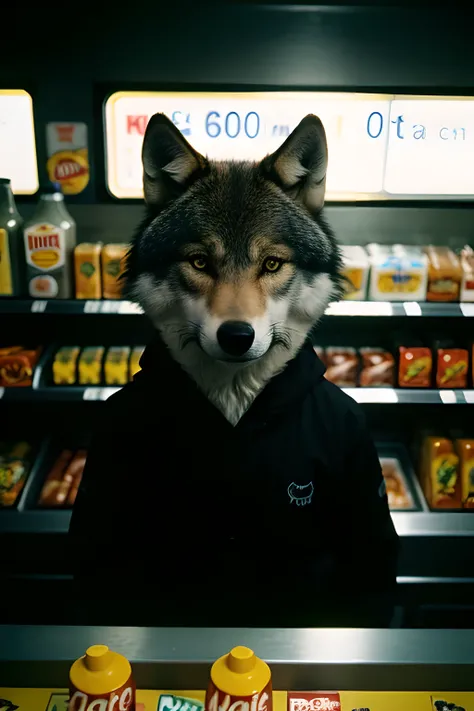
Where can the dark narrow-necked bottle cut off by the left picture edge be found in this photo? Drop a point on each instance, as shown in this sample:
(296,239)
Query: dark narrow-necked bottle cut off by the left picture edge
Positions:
(11,243)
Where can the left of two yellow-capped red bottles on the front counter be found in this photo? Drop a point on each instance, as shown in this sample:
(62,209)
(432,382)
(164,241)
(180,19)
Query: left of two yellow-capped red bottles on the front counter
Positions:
(101,680)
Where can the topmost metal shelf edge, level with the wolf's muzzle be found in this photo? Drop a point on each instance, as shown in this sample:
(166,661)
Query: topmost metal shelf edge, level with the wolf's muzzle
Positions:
(341,308)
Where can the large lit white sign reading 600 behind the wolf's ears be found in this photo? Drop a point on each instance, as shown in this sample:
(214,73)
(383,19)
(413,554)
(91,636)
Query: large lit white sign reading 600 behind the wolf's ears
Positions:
(380,145)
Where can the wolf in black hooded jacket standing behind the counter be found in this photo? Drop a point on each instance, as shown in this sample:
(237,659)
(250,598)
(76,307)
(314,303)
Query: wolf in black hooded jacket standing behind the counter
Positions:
(231,483)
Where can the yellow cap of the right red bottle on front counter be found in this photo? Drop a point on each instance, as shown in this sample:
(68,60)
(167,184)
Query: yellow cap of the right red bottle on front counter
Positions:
(240,673)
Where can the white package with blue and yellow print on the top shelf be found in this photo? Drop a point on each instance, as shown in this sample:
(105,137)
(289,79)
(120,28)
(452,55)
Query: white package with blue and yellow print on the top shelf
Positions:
(398,273)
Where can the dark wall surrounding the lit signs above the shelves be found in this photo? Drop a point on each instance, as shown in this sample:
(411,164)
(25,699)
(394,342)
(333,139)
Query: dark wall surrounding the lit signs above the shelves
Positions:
(69,56)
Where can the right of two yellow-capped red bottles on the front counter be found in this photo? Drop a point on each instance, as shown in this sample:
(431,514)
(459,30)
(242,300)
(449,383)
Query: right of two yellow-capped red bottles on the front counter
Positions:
(240,681)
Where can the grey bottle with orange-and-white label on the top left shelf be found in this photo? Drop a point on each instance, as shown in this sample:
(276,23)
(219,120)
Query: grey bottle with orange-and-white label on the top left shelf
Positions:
(50,238)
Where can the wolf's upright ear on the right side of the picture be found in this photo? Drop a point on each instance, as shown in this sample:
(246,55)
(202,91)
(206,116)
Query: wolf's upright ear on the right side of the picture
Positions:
(299,165)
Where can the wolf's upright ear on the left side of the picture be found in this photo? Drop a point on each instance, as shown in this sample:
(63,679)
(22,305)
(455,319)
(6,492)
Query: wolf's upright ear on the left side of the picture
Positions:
(170,164)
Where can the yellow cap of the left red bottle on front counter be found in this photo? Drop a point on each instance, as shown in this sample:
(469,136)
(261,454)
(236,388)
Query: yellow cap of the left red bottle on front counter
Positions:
(100,671)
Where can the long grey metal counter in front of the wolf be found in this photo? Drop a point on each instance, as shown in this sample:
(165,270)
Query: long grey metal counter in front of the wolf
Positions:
(303,659)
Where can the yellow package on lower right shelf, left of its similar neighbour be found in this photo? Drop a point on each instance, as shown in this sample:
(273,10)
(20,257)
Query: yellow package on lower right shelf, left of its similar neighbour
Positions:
(439,474)
